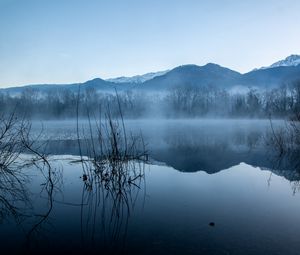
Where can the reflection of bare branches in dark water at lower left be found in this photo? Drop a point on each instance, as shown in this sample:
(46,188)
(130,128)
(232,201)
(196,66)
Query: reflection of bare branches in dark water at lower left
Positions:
(27,188)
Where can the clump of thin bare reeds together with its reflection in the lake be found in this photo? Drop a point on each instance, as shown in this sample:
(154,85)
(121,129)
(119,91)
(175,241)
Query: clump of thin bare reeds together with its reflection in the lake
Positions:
(113,175)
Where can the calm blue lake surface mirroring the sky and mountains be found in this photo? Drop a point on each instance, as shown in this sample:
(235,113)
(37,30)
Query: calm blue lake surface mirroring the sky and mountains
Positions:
(212,187)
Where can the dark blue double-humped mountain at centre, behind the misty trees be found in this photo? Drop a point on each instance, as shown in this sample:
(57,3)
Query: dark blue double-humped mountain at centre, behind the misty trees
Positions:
(193,75)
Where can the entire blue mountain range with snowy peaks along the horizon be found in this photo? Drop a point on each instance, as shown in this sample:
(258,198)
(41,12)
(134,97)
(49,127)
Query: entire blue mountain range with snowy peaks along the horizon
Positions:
(284,71)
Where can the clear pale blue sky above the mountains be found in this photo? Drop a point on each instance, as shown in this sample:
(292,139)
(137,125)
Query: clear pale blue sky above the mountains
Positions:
(67,41)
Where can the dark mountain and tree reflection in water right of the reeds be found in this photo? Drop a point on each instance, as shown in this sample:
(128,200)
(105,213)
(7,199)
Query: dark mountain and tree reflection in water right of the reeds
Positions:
(191,146)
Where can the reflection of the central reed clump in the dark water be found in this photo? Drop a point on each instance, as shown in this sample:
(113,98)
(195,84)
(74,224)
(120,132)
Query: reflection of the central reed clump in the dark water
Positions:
(108,199)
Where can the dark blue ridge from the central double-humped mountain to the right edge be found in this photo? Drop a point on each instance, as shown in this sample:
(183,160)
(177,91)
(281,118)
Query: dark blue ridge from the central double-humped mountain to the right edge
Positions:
(221,77)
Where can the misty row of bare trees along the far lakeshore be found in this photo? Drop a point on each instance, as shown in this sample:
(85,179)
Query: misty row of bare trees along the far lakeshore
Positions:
(180,102)
